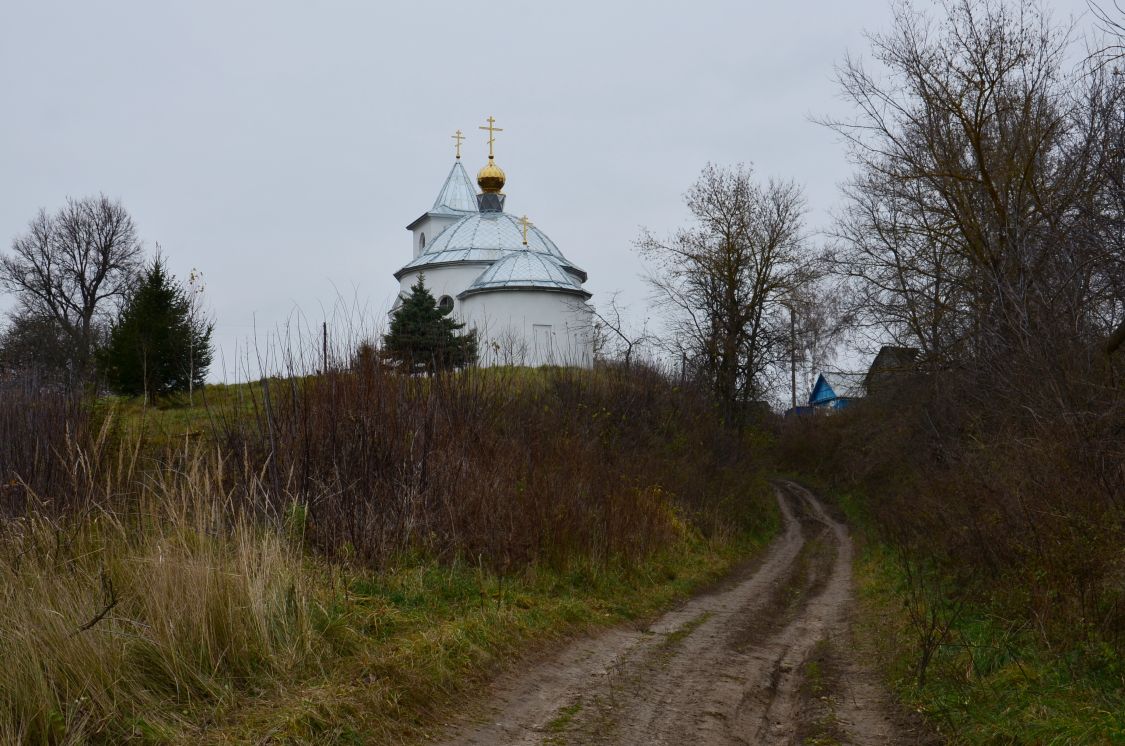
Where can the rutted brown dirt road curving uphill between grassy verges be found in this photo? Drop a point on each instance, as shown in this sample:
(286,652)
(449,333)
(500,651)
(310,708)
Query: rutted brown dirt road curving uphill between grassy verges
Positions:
(767,659)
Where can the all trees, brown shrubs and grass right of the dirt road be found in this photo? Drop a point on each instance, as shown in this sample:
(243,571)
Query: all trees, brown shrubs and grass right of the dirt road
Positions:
(983,236)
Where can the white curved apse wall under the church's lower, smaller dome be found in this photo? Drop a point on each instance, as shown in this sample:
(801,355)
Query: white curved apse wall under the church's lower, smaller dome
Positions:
(530,328)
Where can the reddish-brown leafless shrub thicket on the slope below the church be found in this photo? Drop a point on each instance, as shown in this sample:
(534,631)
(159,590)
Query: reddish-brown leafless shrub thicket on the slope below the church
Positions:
(508,465)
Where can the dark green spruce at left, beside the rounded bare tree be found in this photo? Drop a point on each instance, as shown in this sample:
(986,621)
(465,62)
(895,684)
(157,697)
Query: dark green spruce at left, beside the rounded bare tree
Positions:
(157,347)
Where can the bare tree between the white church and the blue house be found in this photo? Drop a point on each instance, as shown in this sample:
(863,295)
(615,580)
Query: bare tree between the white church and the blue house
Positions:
(724,281)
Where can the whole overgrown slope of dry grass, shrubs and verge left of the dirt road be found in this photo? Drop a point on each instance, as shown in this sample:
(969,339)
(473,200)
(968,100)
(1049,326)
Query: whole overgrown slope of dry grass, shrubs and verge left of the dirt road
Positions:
(332,558)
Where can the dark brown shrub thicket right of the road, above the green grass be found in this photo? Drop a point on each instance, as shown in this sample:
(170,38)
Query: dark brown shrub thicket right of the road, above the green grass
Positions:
(1010,506)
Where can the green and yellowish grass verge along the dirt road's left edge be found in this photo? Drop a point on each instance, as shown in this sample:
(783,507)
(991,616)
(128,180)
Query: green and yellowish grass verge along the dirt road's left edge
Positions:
(413,640)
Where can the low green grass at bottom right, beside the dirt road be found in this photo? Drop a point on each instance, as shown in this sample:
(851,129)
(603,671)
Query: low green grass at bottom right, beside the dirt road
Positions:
(994,682)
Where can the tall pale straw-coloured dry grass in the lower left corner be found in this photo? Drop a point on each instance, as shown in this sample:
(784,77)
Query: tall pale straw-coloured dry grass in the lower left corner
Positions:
(125,618)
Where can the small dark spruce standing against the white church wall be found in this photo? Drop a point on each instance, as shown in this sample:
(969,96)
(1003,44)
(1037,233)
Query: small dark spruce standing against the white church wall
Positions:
(424,338)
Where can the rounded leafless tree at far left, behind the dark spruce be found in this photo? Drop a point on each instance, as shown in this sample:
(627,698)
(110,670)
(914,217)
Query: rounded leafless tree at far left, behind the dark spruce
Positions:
(70,265)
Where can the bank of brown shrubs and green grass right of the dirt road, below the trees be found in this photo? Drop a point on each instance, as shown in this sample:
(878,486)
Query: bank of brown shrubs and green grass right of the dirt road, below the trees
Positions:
(991,565)
